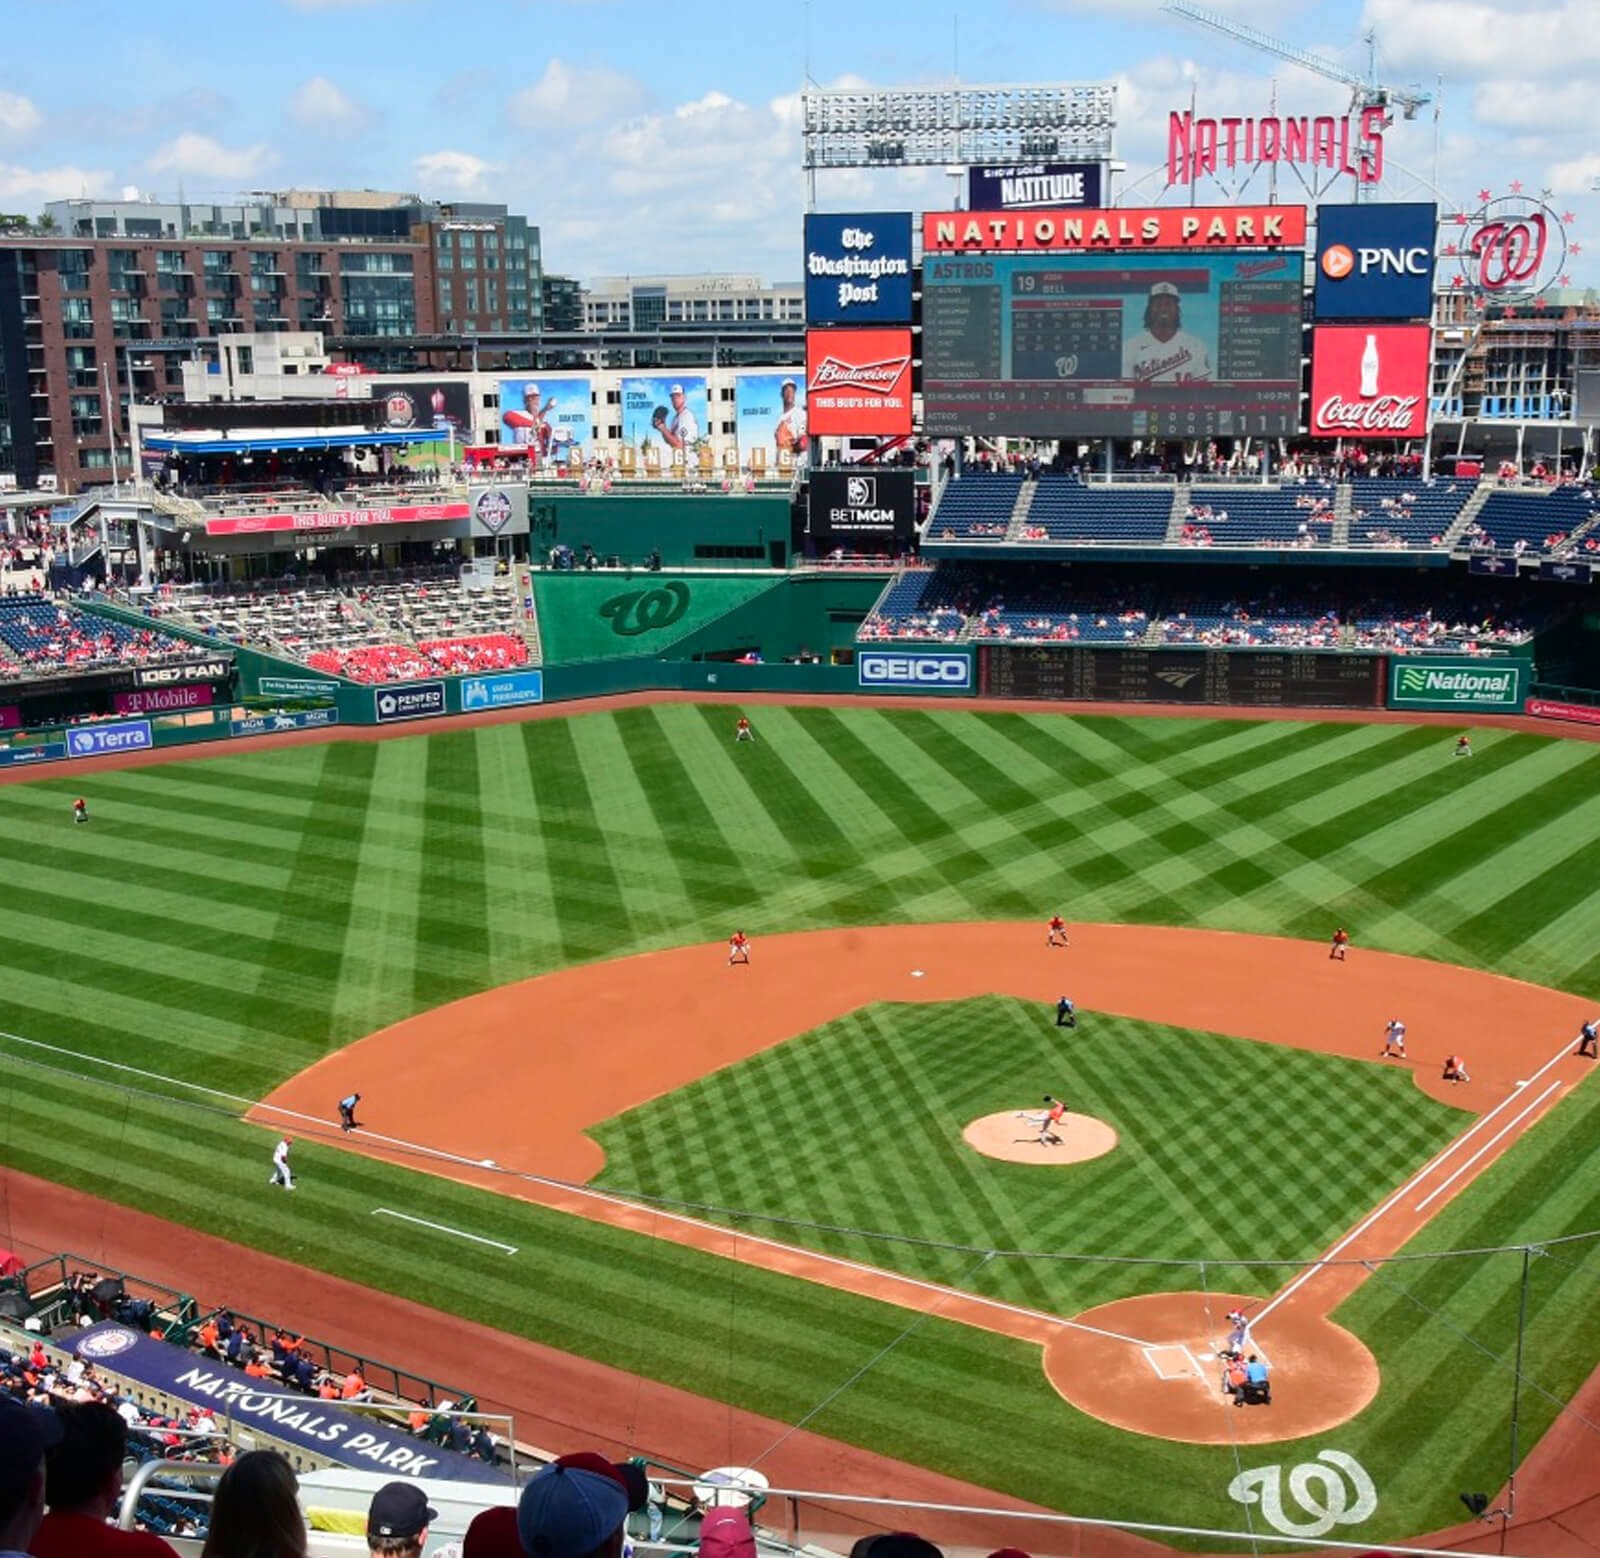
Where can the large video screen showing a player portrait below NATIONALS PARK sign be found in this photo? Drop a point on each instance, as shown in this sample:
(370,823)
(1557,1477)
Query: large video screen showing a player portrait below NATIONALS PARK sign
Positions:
(1164,346)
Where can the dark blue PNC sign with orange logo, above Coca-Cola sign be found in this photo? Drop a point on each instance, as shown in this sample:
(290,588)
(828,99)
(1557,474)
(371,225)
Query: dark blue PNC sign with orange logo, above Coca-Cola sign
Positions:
(1375,262)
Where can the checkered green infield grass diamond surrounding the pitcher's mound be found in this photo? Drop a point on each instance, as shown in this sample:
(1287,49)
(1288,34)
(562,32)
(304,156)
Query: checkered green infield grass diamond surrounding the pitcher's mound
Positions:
(887,1092)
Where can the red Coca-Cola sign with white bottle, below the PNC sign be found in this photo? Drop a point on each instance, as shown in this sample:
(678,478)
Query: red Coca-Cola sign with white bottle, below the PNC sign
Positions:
(1369,382)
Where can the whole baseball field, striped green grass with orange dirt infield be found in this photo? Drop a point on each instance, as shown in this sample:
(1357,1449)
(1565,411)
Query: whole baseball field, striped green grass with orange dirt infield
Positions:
(230,929)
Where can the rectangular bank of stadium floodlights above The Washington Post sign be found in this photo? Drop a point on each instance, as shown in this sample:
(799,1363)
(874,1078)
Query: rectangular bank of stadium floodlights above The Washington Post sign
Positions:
(958,126)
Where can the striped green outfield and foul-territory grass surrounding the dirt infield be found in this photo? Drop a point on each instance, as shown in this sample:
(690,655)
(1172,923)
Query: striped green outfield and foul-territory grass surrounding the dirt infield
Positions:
(230,921)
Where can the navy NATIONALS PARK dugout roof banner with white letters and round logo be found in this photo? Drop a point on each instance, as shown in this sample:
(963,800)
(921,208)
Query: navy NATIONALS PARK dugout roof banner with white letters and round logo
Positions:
(316,1428)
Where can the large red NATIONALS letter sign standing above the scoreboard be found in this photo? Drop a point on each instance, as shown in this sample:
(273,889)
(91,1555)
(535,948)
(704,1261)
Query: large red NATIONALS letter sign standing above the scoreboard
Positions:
(1204,148)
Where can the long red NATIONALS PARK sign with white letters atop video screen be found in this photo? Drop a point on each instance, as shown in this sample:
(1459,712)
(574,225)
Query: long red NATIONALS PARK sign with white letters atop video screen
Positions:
(1138,228)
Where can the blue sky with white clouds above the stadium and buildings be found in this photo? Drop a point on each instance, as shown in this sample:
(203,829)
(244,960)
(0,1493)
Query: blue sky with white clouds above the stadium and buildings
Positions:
(666,138)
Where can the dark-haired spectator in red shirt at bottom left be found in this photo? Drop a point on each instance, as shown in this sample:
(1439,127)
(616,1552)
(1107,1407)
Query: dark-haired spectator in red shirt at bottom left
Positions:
(84,1490)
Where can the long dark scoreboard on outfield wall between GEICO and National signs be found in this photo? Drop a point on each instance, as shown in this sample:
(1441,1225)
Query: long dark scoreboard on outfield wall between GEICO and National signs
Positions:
(1249,677)
